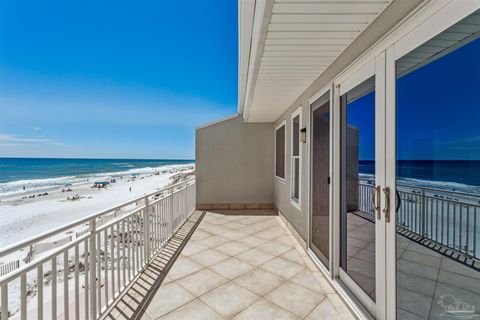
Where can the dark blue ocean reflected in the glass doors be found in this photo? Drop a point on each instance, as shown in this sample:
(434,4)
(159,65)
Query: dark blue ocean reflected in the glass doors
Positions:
(451,175)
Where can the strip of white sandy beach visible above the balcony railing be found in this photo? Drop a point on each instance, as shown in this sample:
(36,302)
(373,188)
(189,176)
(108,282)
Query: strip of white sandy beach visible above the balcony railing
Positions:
(25,218)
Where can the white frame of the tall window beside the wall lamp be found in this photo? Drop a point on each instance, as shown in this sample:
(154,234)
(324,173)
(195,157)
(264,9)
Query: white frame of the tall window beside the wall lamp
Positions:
(296,202)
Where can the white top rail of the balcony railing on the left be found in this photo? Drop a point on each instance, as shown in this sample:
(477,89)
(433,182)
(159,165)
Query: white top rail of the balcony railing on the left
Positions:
(47,234)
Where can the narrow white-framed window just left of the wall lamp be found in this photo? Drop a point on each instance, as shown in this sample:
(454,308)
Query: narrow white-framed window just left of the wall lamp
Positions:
(295,163)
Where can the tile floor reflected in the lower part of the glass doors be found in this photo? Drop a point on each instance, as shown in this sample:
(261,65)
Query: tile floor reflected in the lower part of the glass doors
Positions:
(423,276)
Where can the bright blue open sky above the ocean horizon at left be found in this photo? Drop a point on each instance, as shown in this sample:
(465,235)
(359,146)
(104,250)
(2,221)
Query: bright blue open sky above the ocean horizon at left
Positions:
(114,79)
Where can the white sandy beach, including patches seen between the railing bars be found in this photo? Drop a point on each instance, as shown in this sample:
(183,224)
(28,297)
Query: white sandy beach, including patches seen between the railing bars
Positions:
(23,216)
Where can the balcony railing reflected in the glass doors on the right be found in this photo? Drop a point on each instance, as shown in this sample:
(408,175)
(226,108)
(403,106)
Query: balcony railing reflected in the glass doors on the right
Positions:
(449,218)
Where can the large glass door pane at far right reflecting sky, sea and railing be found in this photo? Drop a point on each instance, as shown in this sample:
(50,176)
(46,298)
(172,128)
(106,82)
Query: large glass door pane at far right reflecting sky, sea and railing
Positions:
(438,176)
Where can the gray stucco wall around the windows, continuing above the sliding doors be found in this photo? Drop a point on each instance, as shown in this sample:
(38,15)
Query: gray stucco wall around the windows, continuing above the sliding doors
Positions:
(394,13)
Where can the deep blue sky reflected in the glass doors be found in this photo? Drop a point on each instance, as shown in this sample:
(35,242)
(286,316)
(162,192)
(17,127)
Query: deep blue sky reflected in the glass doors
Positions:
(438,110)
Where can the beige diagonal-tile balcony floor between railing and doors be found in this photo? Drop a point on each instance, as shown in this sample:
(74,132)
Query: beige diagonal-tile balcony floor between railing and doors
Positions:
(244,267)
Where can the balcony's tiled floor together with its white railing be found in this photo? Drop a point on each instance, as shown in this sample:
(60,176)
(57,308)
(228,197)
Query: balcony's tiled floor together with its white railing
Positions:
(156,257)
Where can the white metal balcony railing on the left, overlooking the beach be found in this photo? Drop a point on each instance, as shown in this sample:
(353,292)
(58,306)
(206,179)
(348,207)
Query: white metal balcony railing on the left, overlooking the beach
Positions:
(80,277)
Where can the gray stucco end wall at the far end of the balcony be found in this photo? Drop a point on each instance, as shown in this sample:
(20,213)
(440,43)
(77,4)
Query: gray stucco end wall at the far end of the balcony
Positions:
(234,162)
